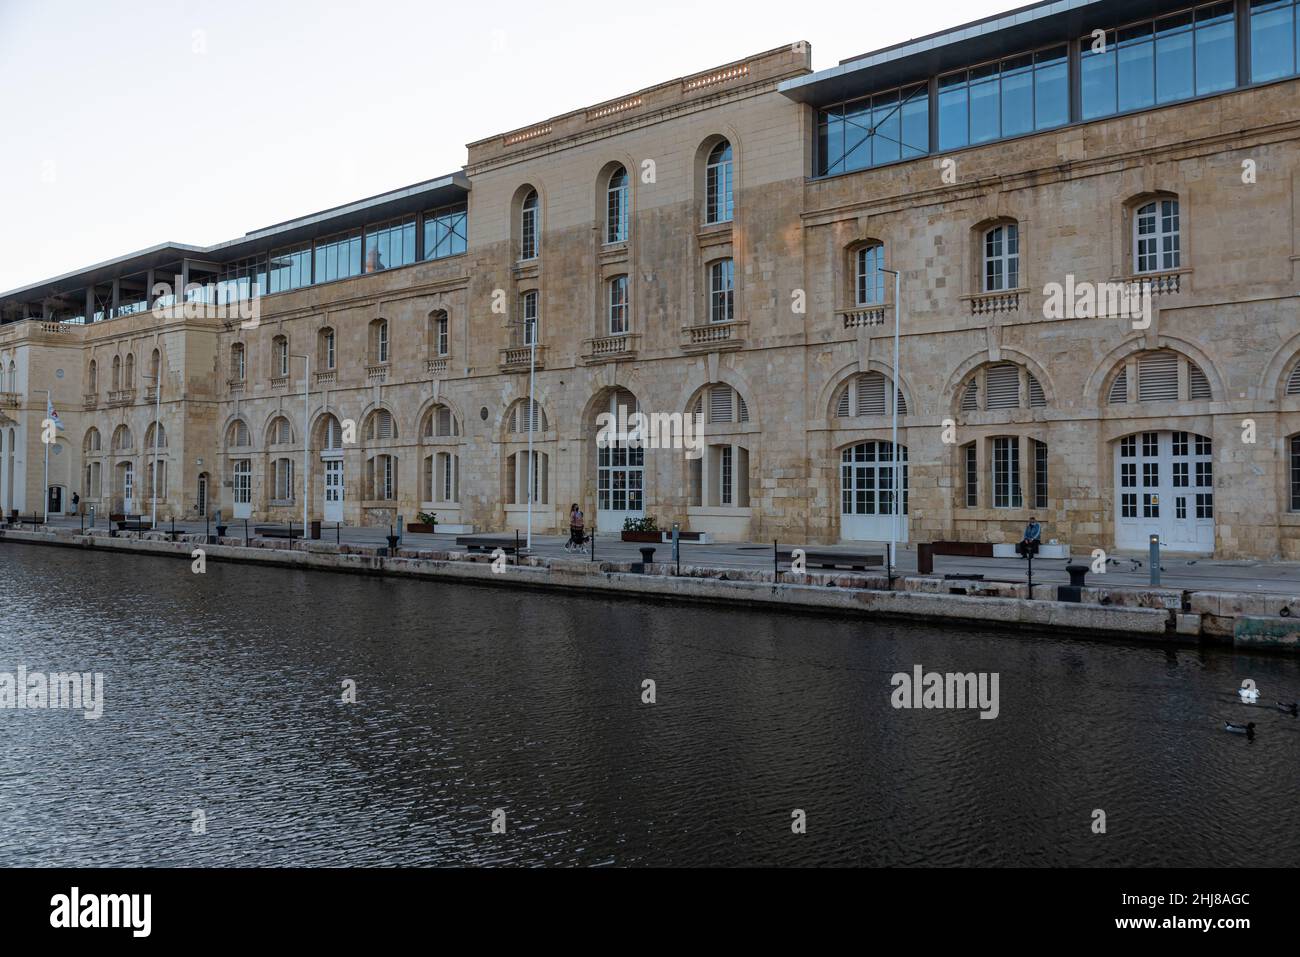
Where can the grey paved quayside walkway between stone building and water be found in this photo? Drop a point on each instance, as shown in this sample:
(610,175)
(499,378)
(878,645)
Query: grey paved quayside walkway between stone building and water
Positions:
(1206,574)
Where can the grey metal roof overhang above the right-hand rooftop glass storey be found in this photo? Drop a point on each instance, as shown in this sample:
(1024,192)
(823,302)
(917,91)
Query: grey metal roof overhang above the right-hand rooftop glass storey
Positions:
(1004,34)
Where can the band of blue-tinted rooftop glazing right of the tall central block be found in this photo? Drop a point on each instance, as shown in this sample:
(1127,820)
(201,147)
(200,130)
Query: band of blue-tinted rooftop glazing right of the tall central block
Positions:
(1126,68)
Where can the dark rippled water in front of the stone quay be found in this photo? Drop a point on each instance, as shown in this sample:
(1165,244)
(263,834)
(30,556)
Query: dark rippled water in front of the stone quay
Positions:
(223,695)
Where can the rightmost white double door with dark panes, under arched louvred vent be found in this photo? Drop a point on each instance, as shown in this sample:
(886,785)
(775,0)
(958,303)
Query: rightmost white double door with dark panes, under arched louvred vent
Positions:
(1165,487)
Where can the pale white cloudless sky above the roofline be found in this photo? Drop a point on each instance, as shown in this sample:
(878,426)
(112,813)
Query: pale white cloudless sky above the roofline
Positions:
(132,123)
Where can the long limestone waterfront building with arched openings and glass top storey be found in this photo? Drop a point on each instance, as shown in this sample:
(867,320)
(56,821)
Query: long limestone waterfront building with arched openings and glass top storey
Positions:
(714,246)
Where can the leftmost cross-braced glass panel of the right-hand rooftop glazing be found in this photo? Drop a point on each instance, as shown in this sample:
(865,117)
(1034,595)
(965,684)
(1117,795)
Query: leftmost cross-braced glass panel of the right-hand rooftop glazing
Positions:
(879,129)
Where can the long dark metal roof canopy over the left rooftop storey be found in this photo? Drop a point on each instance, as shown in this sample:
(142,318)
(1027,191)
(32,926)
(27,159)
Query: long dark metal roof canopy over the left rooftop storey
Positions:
(431,194)
